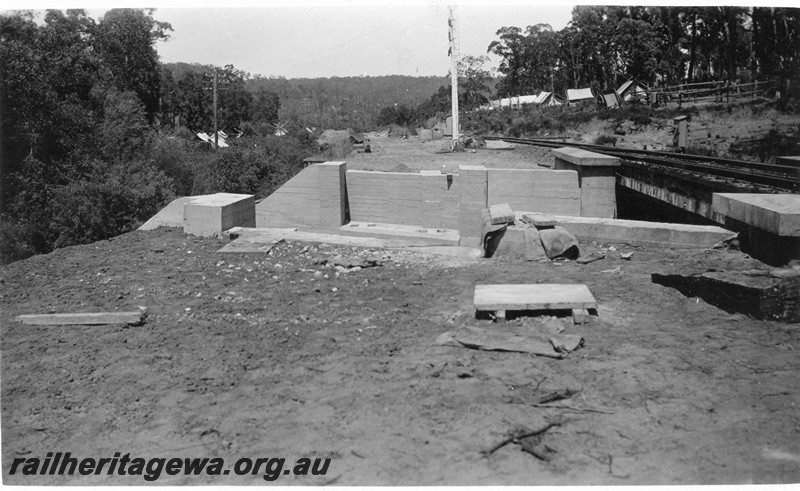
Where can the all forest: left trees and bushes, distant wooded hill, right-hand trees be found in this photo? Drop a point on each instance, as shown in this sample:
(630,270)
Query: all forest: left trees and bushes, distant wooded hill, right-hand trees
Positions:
(96,134)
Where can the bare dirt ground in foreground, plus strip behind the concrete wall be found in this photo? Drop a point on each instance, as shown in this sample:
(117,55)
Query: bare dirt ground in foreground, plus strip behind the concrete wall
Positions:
(255,355)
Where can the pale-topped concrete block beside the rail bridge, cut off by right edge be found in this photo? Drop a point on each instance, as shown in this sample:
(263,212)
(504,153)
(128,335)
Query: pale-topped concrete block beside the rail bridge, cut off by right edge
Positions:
(776,213)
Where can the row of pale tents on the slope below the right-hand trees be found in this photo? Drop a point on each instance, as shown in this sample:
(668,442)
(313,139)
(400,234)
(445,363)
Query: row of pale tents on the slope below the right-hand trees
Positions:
(631,90)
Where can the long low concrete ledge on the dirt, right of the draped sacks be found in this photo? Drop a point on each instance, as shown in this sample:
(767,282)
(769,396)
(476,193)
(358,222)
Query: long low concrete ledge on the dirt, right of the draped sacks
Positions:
(654,234)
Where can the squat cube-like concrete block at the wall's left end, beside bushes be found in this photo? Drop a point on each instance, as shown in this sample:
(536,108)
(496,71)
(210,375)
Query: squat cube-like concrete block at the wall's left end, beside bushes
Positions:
(210,215)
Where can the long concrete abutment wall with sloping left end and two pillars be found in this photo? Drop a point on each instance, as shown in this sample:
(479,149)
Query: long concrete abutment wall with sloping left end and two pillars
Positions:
(327,195)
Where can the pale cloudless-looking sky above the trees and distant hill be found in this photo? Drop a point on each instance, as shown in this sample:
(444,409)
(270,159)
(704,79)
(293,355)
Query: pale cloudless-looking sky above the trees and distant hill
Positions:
(327,39)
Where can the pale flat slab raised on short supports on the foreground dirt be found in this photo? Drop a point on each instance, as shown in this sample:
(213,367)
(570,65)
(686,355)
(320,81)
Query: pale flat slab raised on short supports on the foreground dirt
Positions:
(533,297)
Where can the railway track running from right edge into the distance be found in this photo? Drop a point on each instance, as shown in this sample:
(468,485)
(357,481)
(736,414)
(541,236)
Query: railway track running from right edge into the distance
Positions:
(781,177)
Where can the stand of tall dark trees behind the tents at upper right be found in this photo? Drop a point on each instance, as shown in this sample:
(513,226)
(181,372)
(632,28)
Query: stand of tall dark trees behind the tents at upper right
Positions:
(603,46)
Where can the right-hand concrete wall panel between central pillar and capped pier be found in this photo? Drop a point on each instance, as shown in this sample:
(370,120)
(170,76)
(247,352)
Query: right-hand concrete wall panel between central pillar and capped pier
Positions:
(540,190)
